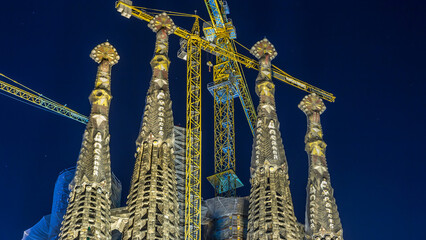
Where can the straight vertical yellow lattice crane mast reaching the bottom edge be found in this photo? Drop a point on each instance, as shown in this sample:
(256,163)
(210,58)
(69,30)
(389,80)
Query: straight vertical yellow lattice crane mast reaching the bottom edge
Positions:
(193,137)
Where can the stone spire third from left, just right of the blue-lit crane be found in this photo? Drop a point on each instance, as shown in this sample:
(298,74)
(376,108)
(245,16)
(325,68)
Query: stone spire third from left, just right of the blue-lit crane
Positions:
(271,214)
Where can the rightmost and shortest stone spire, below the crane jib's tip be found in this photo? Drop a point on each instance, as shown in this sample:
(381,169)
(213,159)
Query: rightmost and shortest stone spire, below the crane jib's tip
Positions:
(322,218)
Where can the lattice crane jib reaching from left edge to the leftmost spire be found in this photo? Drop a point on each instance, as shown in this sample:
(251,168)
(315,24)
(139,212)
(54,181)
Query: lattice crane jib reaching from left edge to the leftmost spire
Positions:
(40,101)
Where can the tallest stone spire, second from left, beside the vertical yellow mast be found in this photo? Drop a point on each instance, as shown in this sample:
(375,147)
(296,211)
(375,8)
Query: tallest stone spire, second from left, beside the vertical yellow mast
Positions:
(152,201)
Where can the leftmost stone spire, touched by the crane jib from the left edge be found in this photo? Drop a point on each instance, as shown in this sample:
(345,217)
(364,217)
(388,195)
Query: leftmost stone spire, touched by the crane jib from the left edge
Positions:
(88,212)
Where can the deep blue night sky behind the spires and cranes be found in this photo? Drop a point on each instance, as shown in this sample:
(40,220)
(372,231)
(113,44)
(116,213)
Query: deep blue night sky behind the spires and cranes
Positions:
(369,54)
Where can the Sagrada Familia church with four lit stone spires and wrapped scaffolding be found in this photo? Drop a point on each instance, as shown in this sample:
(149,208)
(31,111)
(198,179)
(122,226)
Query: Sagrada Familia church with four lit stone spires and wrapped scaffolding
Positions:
(89,206)
